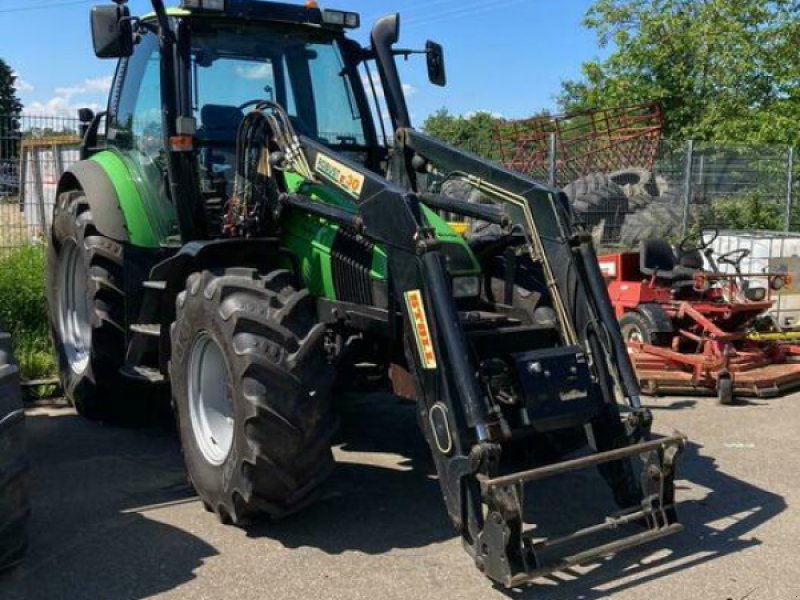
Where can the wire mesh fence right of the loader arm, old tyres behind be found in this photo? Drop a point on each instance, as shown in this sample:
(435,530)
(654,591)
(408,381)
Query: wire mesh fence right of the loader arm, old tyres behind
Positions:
(667,189)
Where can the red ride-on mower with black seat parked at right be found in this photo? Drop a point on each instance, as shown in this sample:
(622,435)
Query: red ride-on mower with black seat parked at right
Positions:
(690,328)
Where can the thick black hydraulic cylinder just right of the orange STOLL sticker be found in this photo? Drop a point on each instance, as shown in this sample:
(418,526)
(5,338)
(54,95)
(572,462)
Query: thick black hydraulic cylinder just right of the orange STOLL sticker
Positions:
(451,336)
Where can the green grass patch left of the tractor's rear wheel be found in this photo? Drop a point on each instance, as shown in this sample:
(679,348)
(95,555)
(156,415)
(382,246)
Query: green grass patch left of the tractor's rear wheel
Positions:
(23,310)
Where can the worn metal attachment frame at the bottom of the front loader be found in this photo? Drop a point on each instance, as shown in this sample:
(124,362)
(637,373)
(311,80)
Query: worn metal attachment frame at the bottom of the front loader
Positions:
(504,564)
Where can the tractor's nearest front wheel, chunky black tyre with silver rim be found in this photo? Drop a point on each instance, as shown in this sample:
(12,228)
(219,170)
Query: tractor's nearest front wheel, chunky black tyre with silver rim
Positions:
(251,390)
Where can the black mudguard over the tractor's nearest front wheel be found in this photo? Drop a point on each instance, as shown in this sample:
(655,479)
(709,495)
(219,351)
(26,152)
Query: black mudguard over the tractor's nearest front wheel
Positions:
(211,254)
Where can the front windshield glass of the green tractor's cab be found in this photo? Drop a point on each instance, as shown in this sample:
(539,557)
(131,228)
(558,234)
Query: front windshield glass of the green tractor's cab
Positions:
(236,65)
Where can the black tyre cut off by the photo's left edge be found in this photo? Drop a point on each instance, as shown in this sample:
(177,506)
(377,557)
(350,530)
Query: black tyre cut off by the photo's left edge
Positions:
(14,502)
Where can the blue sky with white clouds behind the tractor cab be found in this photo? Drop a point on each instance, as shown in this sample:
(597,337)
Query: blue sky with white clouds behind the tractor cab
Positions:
(504,56)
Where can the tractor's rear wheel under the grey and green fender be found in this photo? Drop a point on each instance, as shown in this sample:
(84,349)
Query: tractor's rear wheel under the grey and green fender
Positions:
(86,304)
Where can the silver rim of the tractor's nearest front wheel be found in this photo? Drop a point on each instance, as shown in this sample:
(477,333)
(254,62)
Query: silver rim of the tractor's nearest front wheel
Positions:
(210,405)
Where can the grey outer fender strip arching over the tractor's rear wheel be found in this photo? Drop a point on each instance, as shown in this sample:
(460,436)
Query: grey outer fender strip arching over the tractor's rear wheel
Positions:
(89,176)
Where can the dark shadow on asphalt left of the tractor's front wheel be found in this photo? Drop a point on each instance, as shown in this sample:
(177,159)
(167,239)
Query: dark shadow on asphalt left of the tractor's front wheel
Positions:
(89,538)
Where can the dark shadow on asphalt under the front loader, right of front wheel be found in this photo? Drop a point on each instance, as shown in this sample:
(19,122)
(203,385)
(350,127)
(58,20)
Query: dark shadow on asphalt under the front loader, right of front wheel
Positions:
(374,508)
